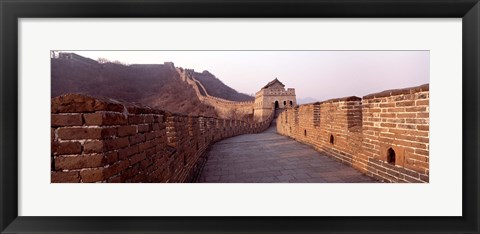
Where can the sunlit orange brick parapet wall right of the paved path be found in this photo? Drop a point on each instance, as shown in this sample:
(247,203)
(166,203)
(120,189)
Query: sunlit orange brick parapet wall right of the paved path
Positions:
(385,135)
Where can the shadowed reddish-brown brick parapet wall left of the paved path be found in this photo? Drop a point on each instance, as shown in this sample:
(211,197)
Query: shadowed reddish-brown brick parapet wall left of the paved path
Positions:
(100,140)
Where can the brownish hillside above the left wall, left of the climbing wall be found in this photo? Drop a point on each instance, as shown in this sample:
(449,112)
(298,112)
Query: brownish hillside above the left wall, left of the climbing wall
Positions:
(154,85)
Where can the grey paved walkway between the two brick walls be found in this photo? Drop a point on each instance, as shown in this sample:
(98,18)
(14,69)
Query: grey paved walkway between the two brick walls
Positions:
(269,157)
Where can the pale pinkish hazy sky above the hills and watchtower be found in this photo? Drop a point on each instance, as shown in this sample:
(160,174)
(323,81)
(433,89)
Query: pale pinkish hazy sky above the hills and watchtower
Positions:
(318,74)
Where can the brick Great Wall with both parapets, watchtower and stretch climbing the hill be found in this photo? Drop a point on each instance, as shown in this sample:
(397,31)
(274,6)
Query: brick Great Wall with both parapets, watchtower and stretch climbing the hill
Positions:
(384,135)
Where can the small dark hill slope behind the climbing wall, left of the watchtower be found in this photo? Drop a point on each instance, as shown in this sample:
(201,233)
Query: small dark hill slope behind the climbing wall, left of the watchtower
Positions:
(215,87)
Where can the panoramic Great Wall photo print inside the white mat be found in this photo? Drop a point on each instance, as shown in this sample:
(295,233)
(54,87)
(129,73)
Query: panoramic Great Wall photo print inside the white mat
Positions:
(240,116)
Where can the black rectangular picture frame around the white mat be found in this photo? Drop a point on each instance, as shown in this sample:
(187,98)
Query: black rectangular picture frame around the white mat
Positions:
(11,11)
